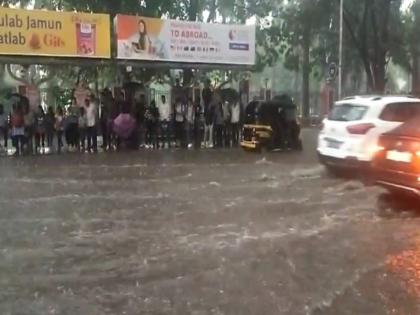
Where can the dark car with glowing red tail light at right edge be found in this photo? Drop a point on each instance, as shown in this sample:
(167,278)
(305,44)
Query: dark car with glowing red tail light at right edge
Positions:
(396,165)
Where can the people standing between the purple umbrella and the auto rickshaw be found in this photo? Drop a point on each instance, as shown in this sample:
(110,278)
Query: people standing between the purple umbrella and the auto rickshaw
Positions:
(203,122)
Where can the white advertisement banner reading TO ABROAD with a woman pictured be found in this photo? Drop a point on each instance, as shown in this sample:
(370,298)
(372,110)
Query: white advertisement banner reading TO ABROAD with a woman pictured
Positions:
(143,38)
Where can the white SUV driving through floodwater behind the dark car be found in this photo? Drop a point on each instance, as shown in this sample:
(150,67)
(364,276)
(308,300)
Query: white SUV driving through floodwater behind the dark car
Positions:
(350,133)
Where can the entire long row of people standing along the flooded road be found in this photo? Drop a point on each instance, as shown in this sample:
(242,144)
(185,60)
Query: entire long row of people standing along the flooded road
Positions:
(206,121)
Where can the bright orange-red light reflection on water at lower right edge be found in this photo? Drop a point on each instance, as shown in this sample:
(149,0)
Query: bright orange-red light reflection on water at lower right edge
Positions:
(407,266)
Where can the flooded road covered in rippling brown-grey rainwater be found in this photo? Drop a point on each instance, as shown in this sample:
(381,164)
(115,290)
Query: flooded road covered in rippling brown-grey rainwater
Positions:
(206,232)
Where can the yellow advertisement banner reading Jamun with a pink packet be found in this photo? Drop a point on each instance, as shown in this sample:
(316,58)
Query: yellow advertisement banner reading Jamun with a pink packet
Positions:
(58,34)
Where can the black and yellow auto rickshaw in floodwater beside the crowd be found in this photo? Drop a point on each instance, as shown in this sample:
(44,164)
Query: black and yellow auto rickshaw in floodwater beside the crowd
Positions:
(271,125)
